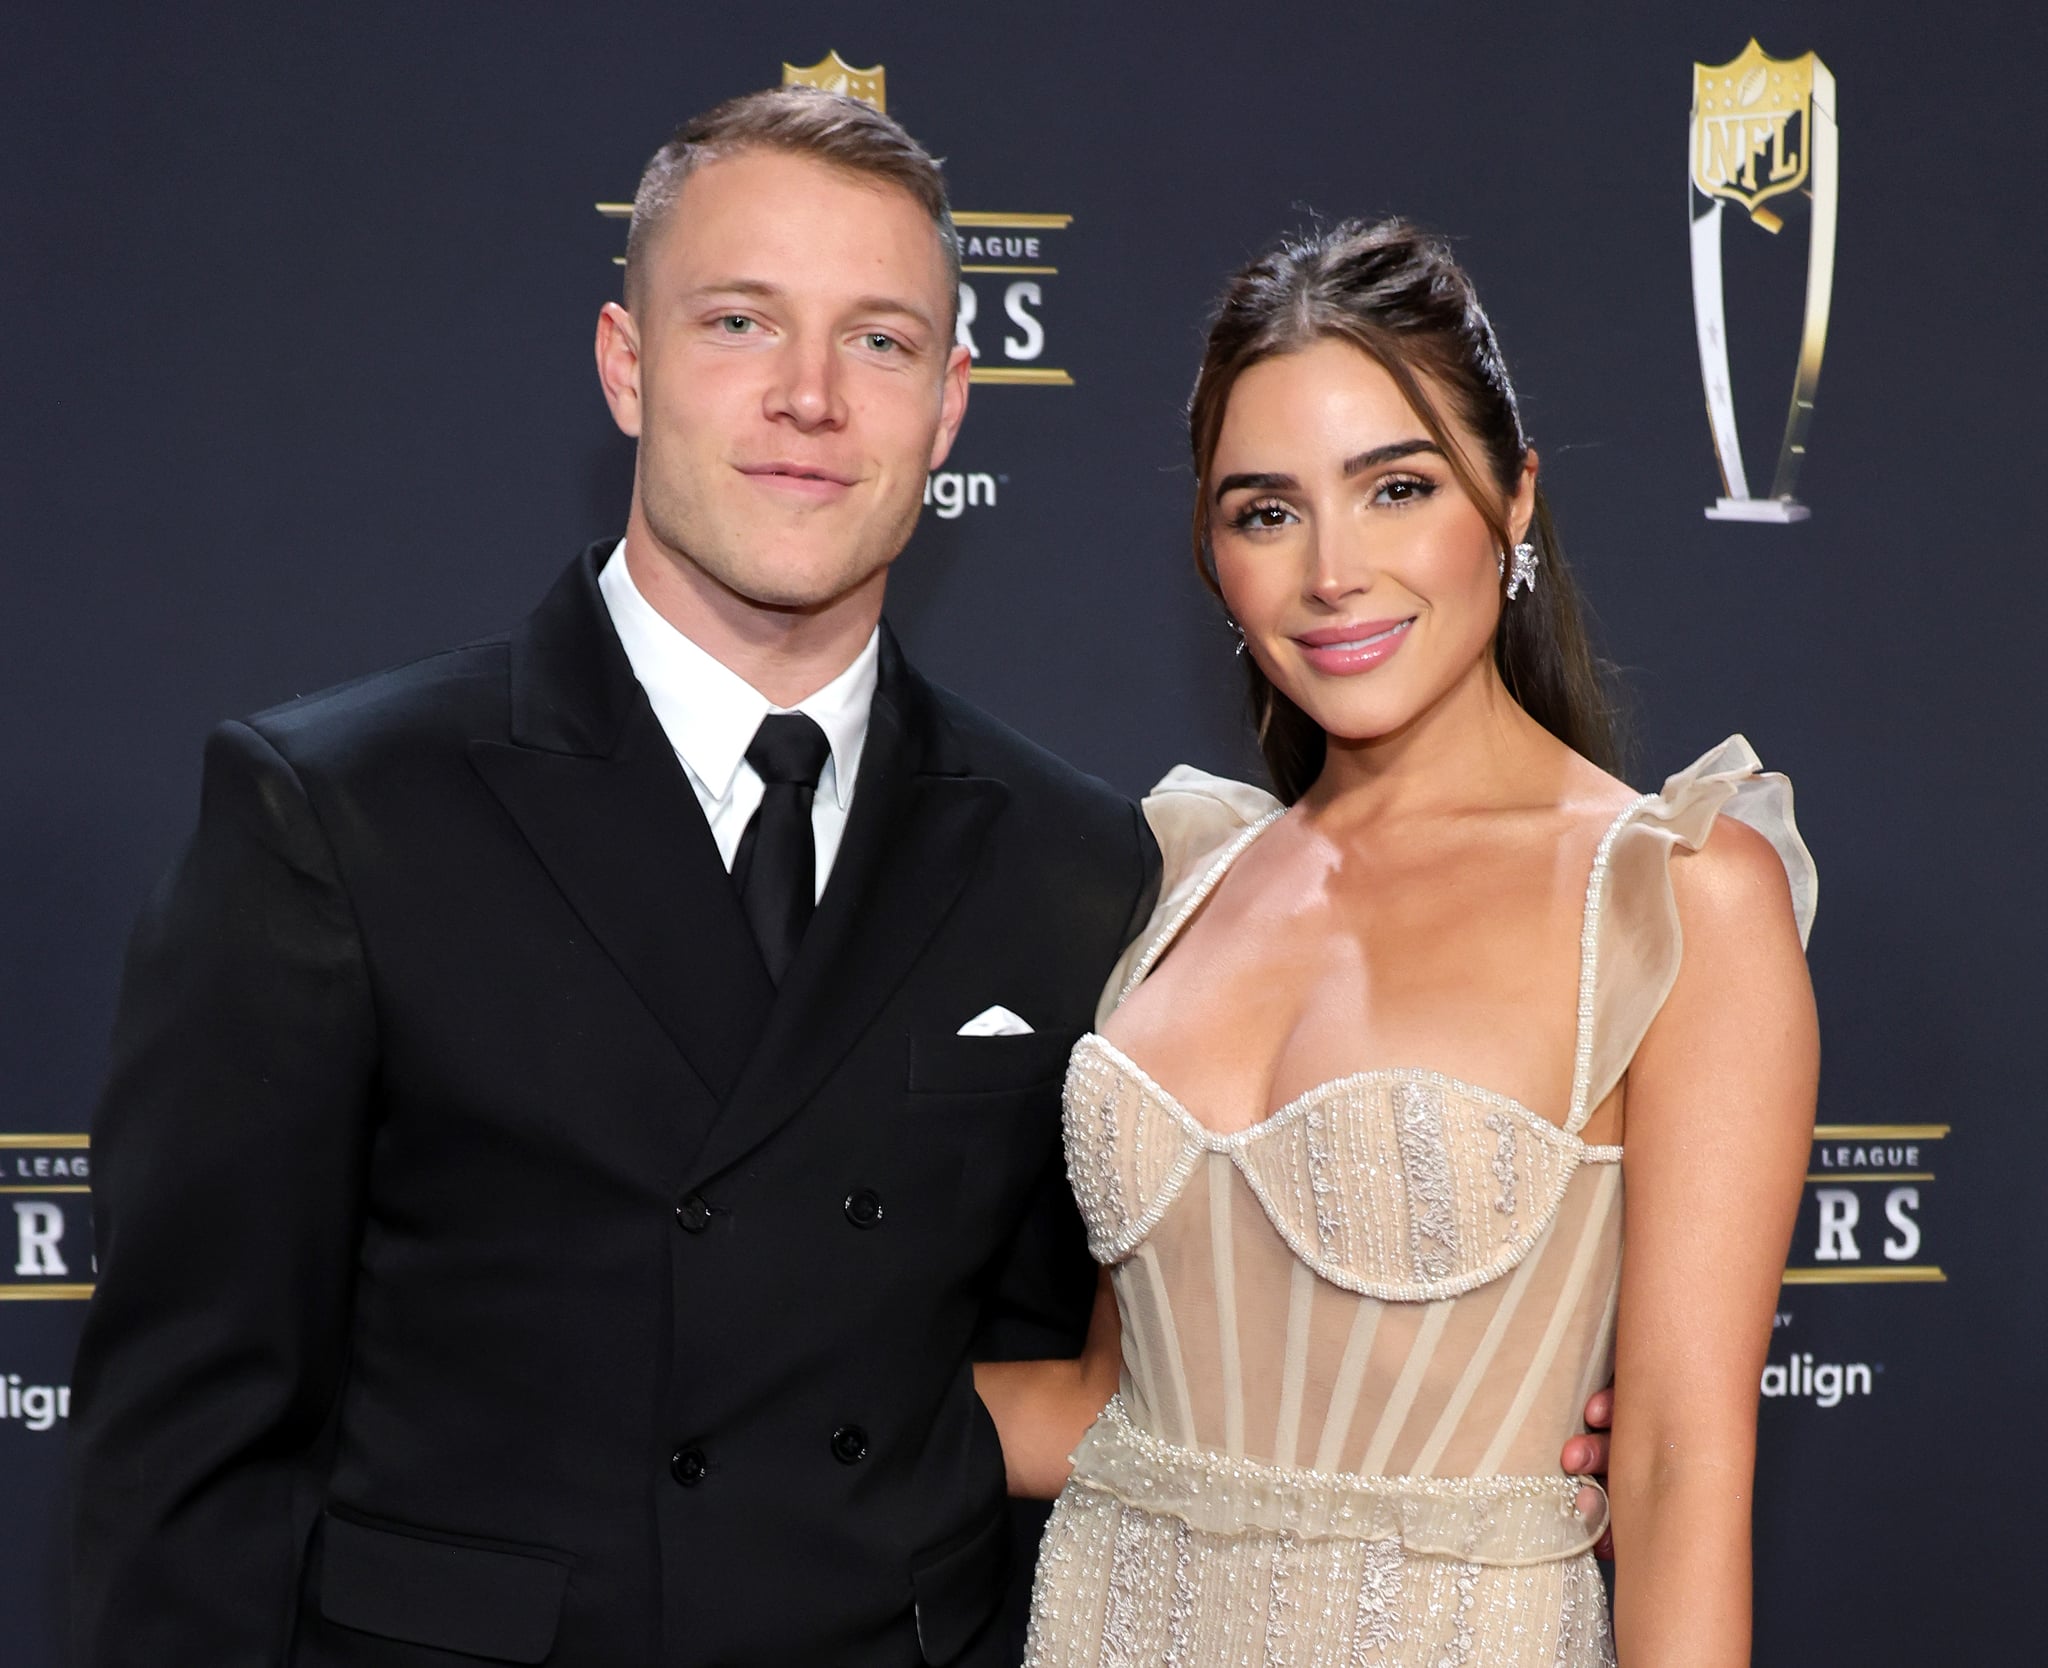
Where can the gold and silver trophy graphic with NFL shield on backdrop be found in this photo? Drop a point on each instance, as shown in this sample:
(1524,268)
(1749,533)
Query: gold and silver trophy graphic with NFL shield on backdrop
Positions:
(1762,128)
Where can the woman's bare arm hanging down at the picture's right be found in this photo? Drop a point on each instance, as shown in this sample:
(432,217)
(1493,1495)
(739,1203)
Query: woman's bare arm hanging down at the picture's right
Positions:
(1719,1128)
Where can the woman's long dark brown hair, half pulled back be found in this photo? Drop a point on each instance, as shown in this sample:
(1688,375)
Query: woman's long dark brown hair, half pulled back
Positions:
(1398,296)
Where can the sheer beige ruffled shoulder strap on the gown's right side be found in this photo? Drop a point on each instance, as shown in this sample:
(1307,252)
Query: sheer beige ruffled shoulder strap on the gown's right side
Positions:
(1633,935)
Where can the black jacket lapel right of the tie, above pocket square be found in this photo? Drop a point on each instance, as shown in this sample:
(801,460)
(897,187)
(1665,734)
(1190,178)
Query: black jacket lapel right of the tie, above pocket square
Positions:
(912,841)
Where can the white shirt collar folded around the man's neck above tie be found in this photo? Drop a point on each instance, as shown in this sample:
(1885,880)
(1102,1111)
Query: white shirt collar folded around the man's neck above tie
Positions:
(710,712)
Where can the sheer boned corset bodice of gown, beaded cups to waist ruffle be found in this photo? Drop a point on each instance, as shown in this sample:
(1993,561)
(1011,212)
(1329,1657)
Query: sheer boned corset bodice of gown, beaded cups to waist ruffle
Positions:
(1398,1278)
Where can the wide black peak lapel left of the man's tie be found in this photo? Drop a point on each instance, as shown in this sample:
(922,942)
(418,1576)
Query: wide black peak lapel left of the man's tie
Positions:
(601,798)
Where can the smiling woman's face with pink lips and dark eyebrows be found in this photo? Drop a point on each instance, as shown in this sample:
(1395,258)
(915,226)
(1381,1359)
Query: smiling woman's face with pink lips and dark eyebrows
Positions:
(1363,575)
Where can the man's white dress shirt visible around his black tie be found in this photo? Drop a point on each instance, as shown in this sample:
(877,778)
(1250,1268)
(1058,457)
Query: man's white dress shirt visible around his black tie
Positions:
(710,716)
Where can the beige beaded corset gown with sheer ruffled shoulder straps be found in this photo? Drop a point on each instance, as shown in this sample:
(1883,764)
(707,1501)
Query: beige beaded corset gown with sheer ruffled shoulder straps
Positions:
(1359,1335)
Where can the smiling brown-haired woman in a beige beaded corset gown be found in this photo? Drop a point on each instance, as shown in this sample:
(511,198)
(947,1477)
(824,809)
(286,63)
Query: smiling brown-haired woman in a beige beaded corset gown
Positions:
(1363,1103)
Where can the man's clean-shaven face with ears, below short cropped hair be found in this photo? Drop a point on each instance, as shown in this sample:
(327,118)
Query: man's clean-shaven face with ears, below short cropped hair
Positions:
(792,376)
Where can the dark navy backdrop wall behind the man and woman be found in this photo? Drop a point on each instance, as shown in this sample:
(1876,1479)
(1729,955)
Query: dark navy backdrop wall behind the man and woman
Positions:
(296,370)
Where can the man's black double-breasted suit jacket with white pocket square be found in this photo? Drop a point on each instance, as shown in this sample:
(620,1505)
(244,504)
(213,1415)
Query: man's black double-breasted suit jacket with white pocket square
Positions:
(495,1265)
